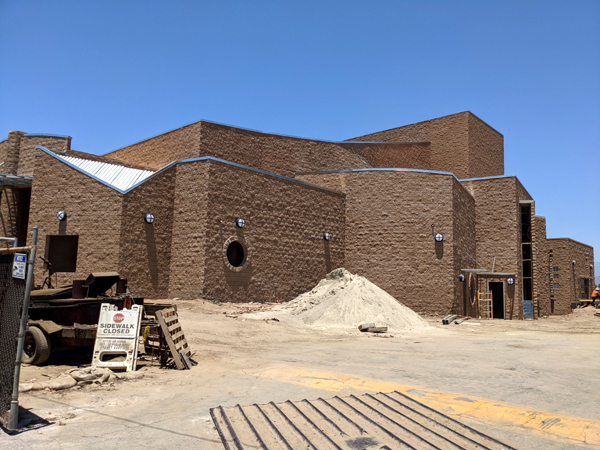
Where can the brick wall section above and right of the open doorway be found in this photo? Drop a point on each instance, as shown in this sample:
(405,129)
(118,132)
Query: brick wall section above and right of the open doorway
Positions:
(498,231)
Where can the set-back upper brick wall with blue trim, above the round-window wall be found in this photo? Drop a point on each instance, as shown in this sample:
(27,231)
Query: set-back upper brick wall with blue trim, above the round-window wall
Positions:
(276,154)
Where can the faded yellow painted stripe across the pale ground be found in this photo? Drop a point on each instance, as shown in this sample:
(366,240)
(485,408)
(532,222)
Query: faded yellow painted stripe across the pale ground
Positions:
(557,427)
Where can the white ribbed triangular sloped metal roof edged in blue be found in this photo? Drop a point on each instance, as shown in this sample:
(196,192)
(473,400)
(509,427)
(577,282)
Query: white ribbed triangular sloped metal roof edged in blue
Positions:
(120,177)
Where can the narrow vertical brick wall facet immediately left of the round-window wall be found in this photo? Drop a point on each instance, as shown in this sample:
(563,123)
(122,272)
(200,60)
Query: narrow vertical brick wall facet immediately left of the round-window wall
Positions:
(189,231)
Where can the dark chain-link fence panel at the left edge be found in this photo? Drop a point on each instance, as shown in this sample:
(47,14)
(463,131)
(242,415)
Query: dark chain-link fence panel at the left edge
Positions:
(12,292)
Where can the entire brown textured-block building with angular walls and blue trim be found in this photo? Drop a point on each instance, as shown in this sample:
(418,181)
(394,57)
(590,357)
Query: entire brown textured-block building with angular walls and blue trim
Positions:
(208,210)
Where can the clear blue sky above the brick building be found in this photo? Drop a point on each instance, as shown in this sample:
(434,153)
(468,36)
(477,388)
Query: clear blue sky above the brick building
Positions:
(110,73)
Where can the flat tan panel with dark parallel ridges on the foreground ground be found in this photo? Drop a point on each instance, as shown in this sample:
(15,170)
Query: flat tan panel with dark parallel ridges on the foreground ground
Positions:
(369,422)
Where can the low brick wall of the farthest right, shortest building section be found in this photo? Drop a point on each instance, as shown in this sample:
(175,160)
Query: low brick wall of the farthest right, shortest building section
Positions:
(563,252)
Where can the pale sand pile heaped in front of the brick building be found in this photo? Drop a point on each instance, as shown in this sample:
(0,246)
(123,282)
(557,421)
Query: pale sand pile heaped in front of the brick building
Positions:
(344,300)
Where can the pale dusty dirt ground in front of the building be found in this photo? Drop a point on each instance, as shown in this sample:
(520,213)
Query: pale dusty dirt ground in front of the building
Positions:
(531,384)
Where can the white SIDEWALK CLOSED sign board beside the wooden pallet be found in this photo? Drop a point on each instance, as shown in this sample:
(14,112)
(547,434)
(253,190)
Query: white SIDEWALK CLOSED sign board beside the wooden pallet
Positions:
(117,337)
